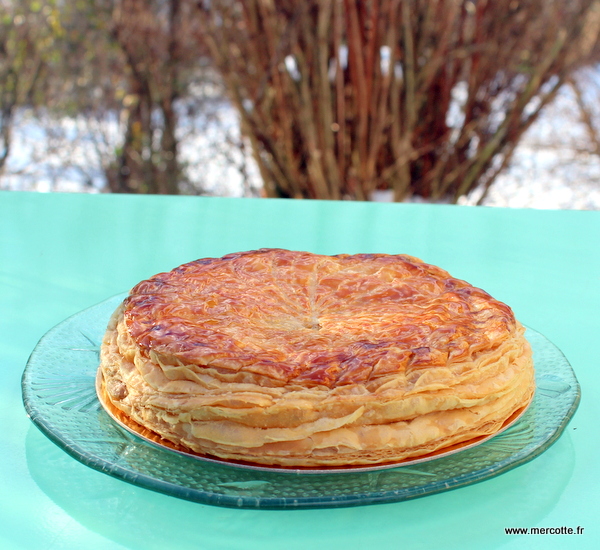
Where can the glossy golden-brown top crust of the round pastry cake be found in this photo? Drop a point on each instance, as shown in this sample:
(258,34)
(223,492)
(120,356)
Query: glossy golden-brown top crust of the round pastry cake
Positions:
(314,319)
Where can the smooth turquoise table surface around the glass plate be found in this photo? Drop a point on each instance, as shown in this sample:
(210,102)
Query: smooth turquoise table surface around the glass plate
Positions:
(62,253)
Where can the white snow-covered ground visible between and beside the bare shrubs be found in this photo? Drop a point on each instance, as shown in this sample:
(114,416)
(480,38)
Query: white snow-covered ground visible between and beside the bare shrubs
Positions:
(546,171)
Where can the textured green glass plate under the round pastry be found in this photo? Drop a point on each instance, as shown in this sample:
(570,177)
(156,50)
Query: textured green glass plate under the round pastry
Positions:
(60,398)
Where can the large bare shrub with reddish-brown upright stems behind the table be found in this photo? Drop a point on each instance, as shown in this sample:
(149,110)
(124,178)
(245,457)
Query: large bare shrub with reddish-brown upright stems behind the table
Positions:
(340,98)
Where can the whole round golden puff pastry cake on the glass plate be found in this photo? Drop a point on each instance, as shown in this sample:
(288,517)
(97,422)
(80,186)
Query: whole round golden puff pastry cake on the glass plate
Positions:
(294,359)
